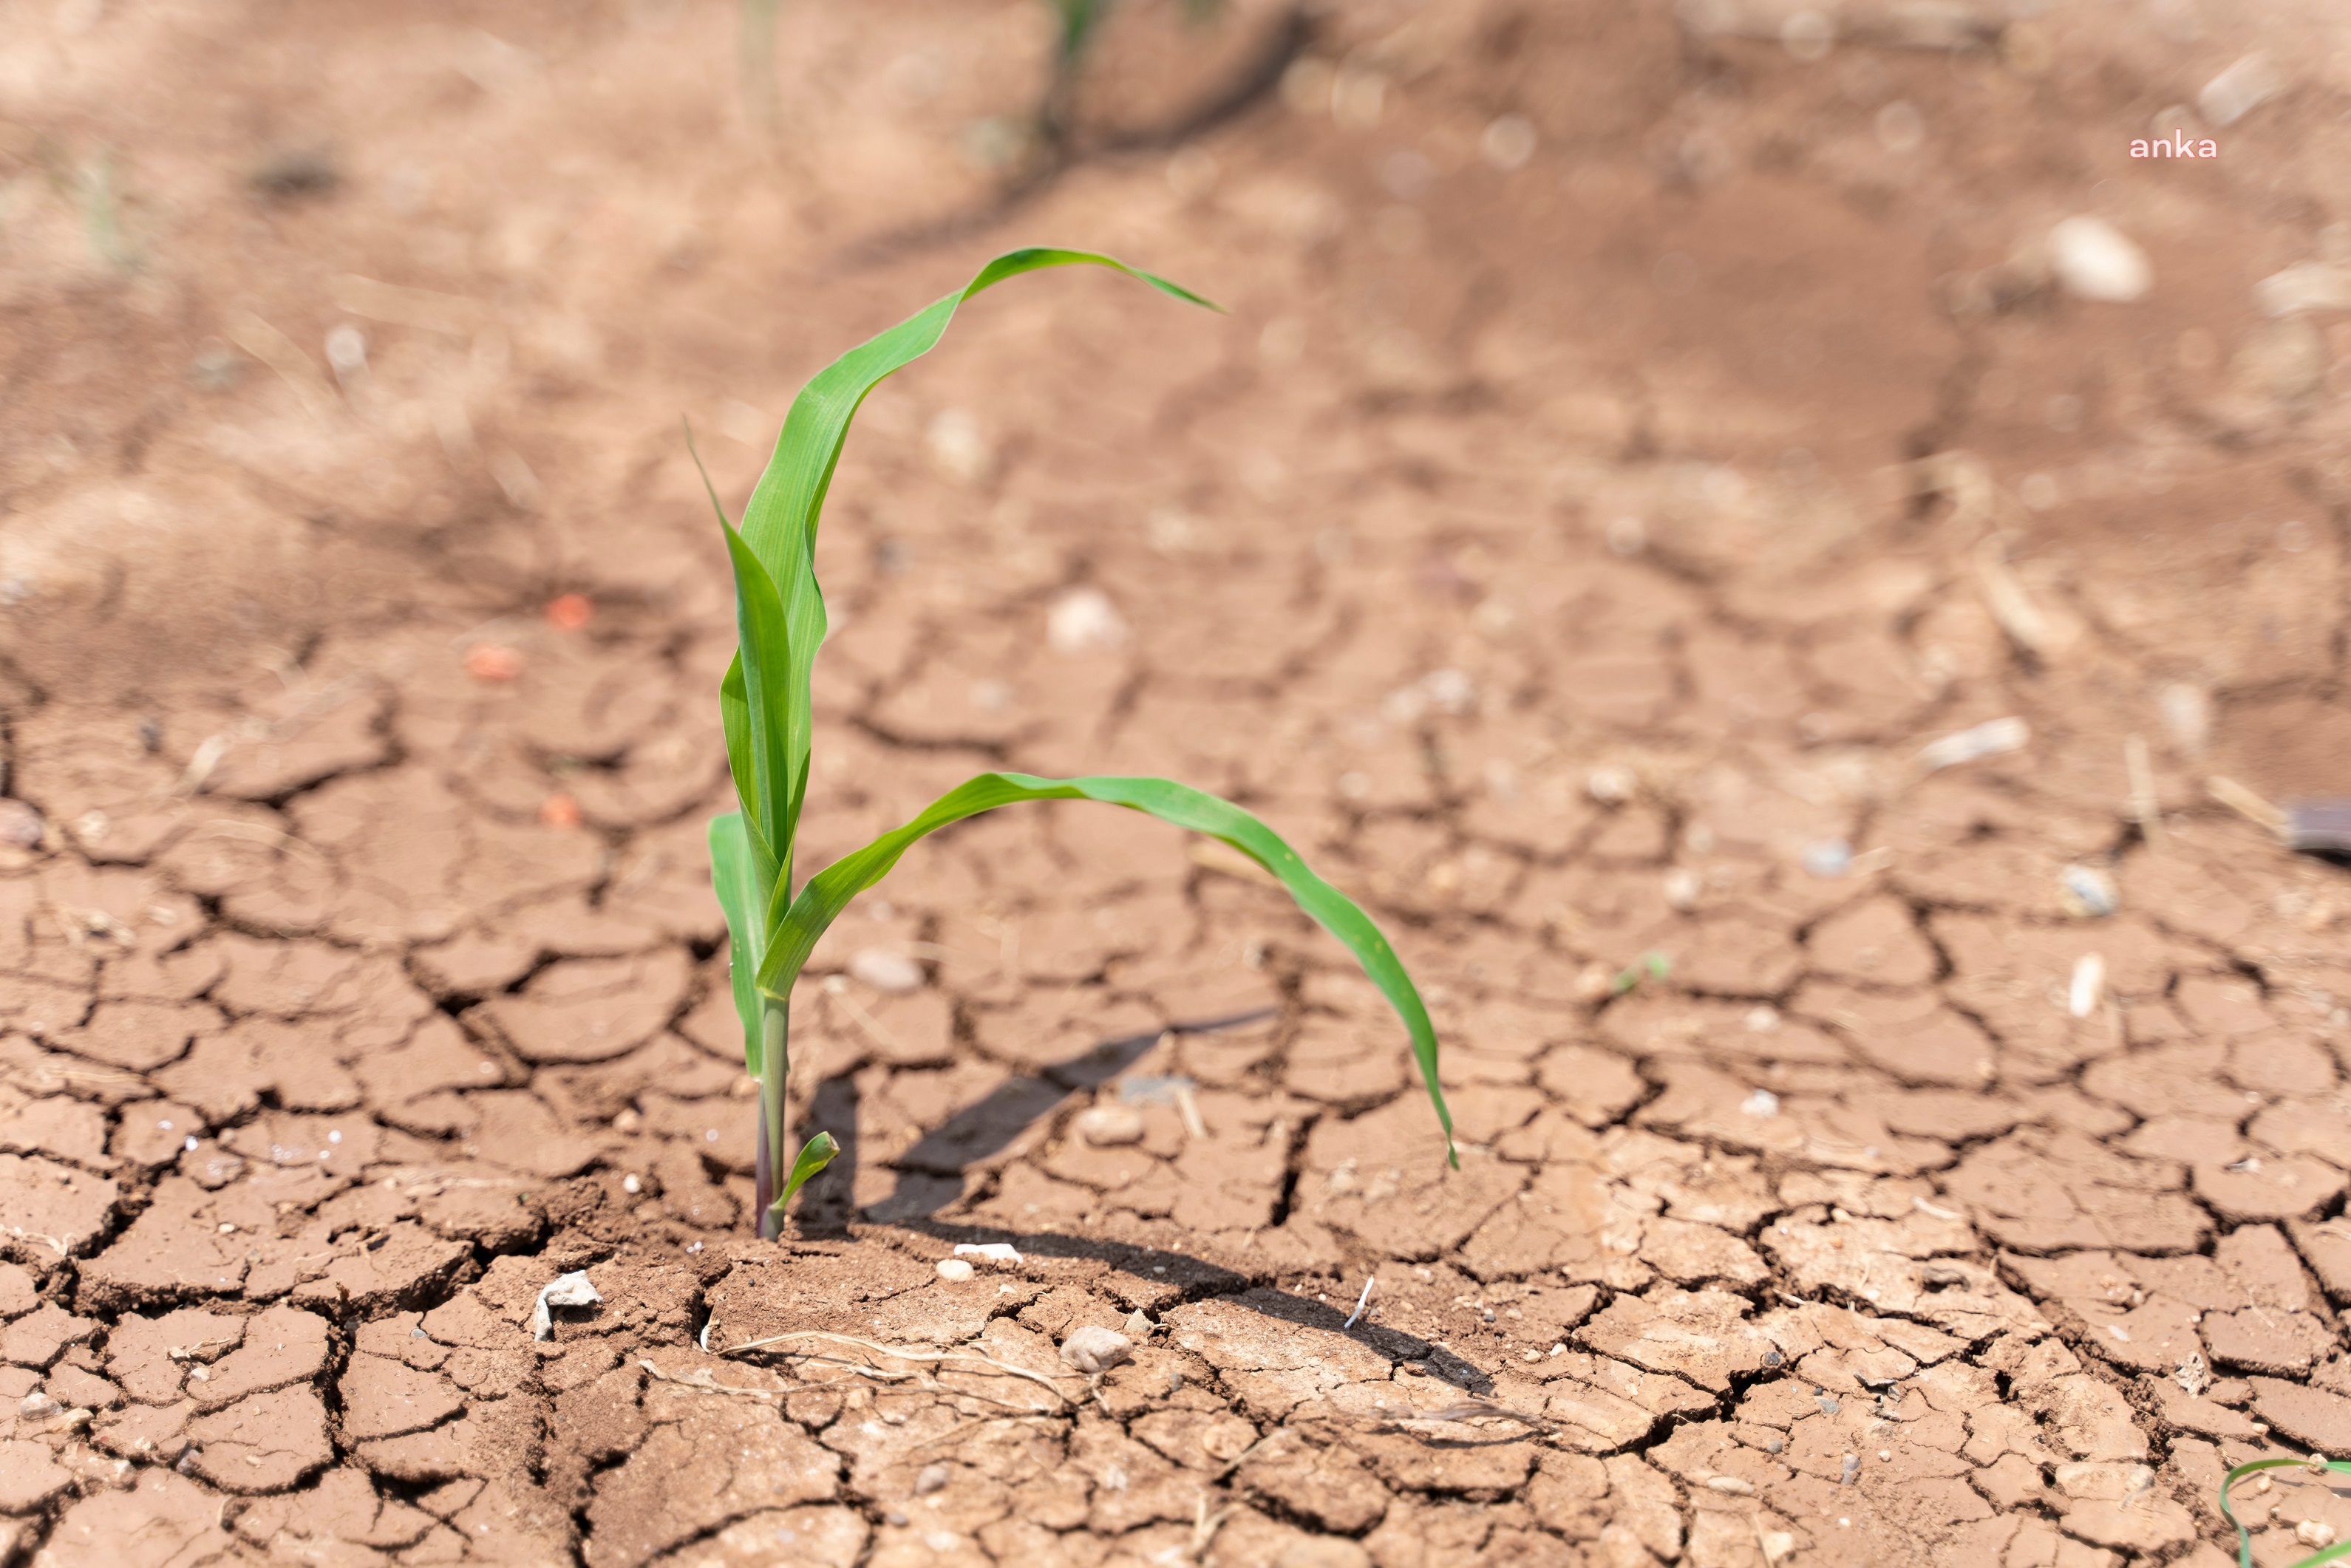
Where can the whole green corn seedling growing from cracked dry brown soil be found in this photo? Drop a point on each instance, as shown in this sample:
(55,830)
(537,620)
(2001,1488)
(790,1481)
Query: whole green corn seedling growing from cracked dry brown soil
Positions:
(765,706)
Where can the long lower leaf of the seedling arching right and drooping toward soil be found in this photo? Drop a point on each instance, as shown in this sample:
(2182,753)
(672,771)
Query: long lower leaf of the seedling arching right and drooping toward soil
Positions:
(831,890)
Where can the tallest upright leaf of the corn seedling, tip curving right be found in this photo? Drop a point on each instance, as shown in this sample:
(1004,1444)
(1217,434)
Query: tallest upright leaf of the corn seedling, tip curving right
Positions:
(779,523)
